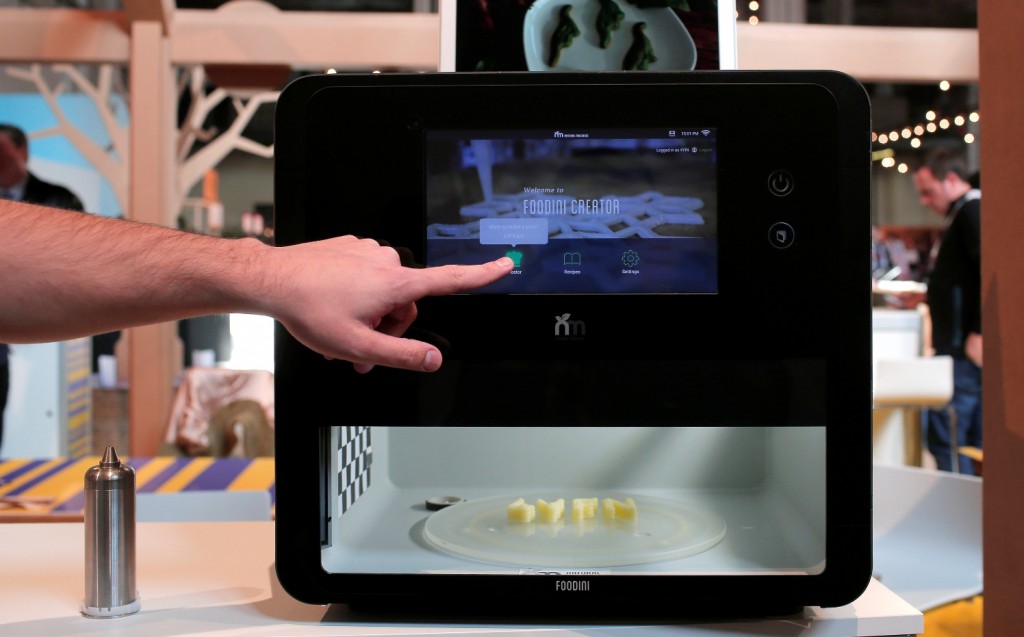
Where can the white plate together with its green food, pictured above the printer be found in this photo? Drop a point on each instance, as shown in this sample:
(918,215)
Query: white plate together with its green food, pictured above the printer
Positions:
(566,35)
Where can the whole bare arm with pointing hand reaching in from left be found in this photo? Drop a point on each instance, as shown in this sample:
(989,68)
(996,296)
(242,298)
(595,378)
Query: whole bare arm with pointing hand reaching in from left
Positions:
(65,275)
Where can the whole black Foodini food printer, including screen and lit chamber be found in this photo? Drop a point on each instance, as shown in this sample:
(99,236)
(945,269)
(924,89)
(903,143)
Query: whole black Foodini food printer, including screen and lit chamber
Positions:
(666,405)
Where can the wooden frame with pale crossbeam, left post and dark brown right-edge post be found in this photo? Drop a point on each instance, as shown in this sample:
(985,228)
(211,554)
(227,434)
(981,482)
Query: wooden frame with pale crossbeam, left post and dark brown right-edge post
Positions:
(153,35)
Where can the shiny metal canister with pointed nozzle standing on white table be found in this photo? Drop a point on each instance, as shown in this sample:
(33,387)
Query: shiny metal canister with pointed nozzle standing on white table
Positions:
(110,539)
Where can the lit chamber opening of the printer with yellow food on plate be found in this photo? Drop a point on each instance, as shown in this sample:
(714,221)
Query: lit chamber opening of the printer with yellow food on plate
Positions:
(576,500)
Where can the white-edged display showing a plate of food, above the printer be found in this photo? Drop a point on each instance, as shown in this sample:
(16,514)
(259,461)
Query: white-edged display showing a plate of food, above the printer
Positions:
(587,35)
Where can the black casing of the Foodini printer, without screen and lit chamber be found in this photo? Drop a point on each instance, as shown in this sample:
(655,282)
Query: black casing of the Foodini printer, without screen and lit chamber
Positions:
(782,341)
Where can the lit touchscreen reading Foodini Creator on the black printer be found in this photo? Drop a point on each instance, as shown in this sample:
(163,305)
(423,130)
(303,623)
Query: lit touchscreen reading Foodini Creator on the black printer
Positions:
(578,211)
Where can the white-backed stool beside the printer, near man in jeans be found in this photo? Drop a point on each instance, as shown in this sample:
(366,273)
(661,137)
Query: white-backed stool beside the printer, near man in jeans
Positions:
(912,386)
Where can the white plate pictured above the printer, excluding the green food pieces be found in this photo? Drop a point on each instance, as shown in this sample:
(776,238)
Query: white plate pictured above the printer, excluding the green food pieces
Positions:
(672,43)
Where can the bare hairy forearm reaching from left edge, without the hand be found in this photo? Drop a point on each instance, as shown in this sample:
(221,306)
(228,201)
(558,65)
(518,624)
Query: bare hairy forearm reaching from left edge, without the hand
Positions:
(98,275)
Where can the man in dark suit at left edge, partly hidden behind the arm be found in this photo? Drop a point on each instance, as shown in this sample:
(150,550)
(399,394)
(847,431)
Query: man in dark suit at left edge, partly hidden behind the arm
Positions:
(20,185)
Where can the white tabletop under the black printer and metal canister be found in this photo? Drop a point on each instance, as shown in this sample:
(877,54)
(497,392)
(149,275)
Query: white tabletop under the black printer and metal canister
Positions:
(218,579)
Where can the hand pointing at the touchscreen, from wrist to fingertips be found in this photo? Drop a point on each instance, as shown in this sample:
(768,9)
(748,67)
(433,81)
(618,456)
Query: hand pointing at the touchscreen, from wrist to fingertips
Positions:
(351,299)
